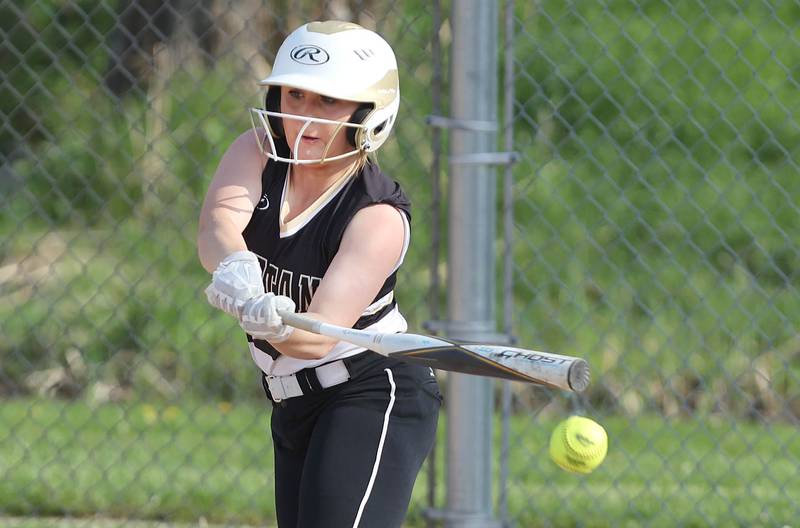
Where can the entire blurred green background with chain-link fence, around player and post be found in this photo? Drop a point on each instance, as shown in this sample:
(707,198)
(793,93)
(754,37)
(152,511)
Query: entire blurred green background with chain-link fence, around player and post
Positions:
(655,232)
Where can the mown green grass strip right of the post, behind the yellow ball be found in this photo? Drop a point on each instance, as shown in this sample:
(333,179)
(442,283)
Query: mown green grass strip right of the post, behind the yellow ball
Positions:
(663,473)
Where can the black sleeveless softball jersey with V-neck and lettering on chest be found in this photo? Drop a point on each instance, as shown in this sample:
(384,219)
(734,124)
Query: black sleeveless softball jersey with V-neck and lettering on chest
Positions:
(293,265)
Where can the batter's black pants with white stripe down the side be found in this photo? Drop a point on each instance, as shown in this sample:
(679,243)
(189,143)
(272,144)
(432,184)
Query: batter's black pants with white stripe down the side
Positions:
(348,455)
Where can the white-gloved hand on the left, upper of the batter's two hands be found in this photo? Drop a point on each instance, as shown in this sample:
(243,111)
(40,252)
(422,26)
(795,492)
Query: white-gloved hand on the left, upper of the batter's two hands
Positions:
(236,280)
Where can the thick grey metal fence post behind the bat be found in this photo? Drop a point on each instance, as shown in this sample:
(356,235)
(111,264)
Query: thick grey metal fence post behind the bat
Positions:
(471,268)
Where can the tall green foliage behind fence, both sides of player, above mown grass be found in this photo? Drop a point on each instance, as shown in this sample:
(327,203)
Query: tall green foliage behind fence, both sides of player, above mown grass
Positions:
(655,204)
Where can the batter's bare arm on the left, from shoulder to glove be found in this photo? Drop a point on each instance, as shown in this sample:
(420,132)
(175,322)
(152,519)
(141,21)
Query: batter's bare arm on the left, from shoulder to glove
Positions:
(230,201)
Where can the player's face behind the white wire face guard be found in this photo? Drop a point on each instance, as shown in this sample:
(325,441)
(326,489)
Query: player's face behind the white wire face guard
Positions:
(316,136)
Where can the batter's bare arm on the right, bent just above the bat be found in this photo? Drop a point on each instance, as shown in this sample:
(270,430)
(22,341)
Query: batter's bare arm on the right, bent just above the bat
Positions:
(370,250)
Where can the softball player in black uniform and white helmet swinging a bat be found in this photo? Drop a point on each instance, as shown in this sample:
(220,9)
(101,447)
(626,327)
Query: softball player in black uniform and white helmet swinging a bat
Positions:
(298,217)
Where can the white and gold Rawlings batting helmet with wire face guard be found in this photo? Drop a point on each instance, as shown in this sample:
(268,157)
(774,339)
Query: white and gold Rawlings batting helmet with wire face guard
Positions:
(341,60)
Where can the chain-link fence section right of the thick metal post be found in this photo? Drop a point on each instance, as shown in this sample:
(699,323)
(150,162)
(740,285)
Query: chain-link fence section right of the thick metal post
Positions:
(656,210)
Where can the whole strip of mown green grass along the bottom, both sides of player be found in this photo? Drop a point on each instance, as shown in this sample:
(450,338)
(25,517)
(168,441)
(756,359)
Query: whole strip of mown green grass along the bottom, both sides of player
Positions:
(180,464)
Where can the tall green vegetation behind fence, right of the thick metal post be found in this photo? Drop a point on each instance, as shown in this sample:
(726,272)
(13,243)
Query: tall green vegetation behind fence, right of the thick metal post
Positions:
(656,204)
